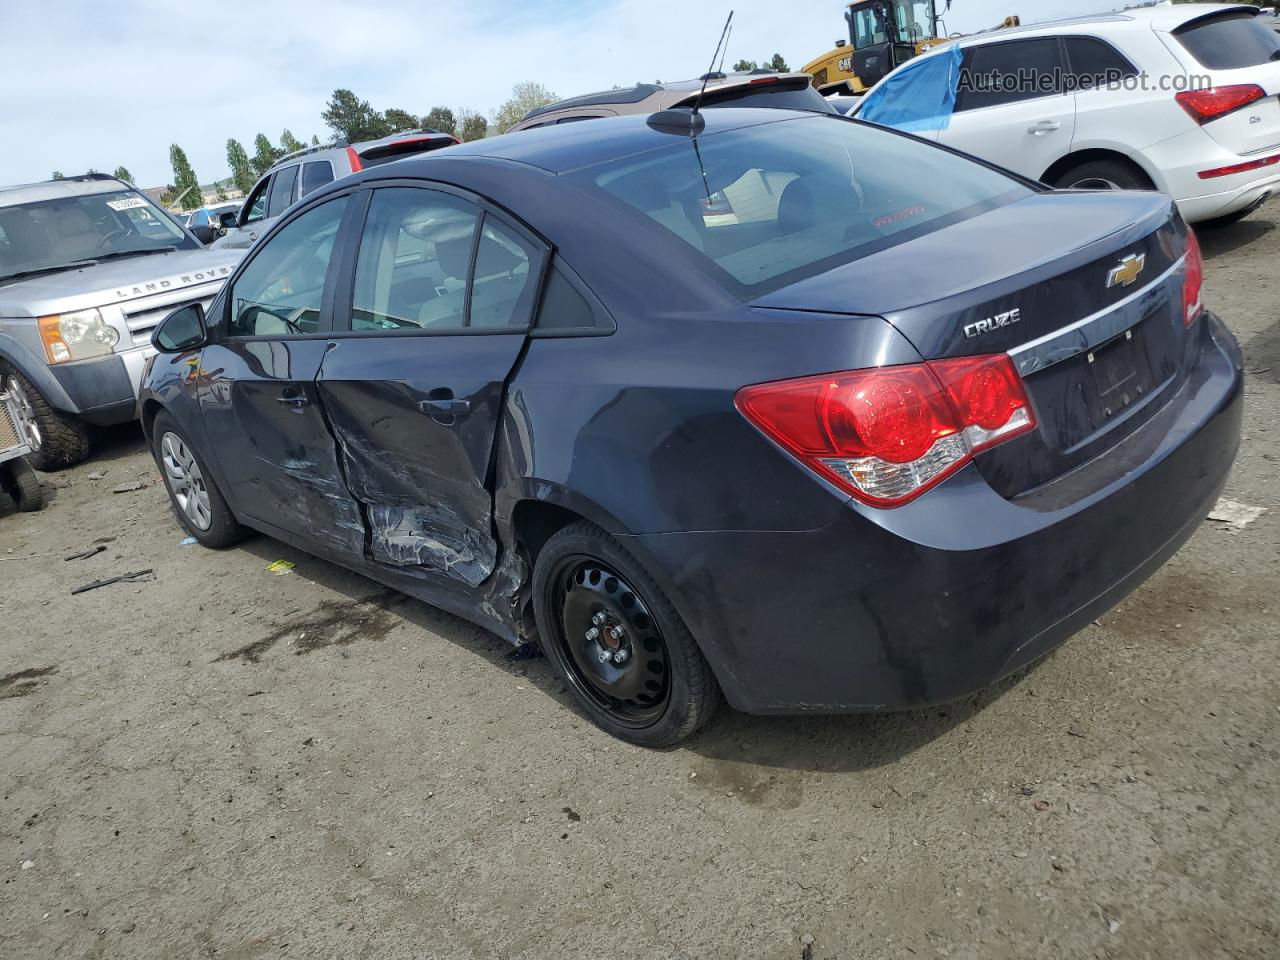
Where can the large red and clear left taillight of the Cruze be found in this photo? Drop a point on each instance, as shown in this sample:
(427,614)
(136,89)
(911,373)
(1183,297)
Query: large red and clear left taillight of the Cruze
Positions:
(886,436)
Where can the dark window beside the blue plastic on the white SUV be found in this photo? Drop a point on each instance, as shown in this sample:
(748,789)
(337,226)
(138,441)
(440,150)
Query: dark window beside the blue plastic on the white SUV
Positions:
(1008,74)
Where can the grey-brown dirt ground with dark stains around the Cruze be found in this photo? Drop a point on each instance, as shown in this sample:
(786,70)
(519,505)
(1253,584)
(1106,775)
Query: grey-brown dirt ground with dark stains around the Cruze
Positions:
(226,764)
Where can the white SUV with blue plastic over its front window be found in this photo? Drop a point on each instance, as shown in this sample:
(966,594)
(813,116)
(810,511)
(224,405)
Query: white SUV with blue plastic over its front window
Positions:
(1110,103)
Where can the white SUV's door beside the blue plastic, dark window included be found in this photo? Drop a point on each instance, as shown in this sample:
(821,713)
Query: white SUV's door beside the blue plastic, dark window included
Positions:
(1011,108)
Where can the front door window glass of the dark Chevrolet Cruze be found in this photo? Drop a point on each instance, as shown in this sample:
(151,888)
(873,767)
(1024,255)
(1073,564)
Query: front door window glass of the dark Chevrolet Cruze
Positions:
(278,295)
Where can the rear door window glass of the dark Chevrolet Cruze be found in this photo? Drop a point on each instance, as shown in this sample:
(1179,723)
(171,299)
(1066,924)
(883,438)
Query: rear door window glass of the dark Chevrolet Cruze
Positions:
(415,266)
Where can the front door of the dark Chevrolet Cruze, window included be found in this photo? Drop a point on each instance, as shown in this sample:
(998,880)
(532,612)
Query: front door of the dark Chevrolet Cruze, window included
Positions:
(258,392)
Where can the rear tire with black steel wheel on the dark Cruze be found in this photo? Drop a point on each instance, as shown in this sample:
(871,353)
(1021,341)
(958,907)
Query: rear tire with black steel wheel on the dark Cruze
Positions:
(618,643)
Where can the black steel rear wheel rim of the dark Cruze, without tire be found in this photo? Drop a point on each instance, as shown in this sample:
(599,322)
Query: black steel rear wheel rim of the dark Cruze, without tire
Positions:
(612,647)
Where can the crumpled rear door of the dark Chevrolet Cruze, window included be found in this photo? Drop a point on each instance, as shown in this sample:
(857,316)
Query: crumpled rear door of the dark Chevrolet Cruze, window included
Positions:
(428,332)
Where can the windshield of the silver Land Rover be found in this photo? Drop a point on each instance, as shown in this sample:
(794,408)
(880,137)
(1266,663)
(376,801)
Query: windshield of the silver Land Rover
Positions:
(51,234)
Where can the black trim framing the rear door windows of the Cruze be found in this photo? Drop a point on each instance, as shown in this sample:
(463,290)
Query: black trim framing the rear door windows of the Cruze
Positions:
(345,294)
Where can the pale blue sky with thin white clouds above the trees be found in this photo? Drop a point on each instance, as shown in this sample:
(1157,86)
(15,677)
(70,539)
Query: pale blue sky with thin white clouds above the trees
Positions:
(98,85)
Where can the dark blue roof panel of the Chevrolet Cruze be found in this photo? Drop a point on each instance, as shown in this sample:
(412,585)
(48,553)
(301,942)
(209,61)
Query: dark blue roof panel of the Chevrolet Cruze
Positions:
(559,149)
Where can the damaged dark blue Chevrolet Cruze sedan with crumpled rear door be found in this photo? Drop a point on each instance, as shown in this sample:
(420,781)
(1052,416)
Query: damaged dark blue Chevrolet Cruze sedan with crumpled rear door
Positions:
(767,406)
